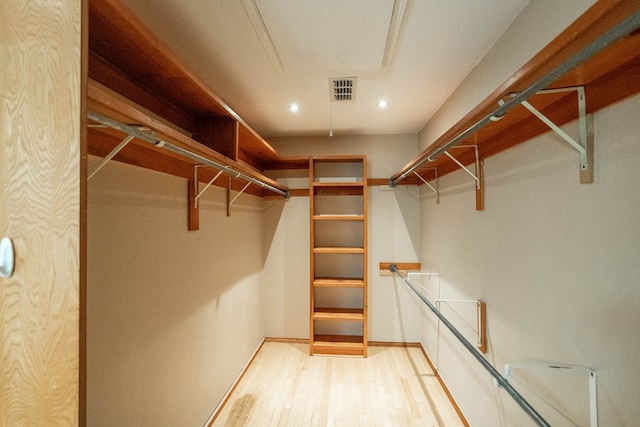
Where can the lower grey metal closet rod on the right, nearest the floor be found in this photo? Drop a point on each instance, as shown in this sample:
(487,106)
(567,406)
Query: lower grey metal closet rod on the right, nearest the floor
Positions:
(502,382)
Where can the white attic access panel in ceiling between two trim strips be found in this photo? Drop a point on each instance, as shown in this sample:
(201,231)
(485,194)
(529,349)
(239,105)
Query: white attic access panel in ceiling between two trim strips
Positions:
(325,36)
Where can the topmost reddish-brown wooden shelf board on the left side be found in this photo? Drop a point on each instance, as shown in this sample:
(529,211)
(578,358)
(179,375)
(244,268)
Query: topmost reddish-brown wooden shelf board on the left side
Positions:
(131,60)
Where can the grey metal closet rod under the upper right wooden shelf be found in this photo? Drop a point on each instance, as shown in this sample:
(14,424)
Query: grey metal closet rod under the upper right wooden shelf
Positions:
(622,29)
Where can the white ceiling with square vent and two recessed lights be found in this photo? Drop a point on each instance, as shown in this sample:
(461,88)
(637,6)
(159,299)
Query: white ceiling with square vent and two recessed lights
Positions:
(262,55)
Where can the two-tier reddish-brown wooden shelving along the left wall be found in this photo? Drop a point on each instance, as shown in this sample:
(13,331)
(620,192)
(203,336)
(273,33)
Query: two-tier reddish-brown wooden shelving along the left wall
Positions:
(134,78)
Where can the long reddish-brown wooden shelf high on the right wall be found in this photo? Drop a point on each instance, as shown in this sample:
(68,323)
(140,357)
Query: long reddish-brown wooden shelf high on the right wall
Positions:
(608,75)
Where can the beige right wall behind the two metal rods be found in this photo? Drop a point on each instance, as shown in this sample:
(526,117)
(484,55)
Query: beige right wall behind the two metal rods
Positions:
(556,261)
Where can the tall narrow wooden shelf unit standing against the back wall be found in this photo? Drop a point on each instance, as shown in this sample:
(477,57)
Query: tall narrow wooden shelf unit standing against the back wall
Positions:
(338,251)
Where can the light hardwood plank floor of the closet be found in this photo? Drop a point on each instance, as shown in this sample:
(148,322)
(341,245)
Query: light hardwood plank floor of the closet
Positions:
(284,386)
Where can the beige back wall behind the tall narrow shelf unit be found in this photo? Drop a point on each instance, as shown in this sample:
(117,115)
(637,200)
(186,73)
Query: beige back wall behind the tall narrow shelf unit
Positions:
(393,236)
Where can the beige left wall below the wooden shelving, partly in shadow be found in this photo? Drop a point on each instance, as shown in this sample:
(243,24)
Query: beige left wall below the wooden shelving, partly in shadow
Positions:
(172,316)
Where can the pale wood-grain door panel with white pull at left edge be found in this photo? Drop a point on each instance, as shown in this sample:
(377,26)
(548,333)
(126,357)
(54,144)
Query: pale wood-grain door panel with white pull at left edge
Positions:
(40,194)
